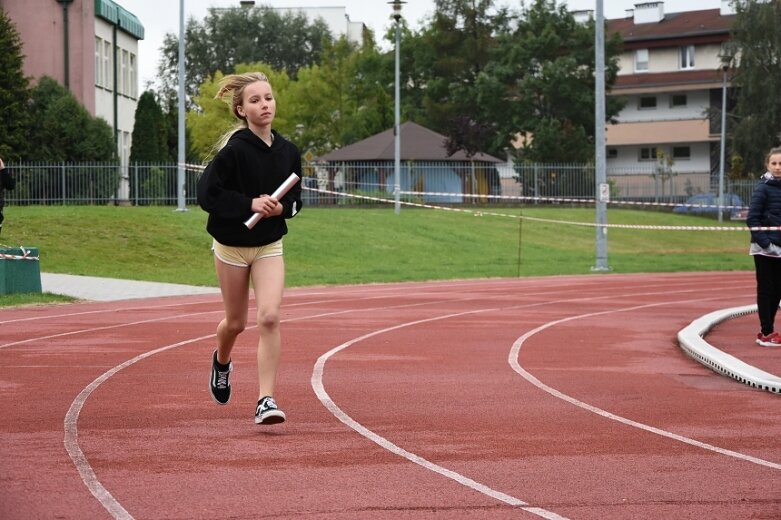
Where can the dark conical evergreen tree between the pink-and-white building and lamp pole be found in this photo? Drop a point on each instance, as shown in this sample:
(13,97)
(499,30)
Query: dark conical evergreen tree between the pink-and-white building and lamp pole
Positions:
(150,133)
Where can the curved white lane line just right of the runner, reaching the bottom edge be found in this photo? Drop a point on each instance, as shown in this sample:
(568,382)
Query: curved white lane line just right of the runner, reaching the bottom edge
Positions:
(319,388)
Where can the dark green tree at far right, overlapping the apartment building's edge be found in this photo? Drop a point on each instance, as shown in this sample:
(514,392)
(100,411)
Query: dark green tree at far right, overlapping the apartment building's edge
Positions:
(757,42)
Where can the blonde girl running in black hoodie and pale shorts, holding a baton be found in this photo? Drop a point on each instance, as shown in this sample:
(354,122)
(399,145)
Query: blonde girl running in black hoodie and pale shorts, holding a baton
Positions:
(253,162)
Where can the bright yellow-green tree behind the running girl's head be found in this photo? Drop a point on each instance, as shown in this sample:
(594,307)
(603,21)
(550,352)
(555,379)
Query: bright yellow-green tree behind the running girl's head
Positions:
(336,102)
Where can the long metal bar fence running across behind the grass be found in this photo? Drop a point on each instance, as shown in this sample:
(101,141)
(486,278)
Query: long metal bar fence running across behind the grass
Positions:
(449,183)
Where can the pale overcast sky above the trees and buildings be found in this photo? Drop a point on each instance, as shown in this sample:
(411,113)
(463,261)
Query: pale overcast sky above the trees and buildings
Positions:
(162,16)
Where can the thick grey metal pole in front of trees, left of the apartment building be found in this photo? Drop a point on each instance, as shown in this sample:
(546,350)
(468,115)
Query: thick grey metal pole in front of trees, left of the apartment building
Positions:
(602,188)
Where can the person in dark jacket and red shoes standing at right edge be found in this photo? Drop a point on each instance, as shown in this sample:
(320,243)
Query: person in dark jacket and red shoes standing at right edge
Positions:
(765,211)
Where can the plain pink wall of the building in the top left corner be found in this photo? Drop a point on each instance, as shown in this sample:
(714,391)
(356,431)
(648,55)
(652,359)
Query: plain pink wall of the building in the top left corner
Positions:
(40,24)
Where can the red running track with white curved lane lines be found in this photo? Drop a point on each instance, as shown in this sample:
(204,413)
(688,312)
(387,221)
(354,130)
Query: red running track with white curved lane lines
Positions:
(560,397)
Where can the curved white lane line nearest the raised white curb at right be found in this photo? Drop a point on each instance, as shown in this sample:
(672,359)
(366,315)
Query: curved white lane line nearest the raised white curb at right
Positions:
(515,354)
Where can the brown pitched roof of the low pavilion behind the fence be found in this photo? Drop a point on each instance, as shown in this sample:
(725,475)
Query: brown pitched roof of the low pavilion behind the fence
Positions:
(417,144)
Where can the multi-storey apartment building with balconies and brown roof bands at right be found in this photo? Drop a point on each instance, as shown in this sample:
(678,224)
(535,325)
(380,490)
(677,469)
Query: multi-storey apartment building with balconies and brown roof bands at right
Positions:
(671,74)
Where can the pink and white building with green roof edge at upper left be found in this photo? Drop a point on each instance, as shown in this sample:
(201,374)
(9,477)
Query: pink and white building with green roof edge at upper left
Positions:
(90,47)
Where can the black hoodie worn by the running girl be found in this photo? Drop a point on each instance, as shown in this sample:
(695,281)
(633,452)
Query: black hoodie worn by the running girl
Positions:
(244,169)
